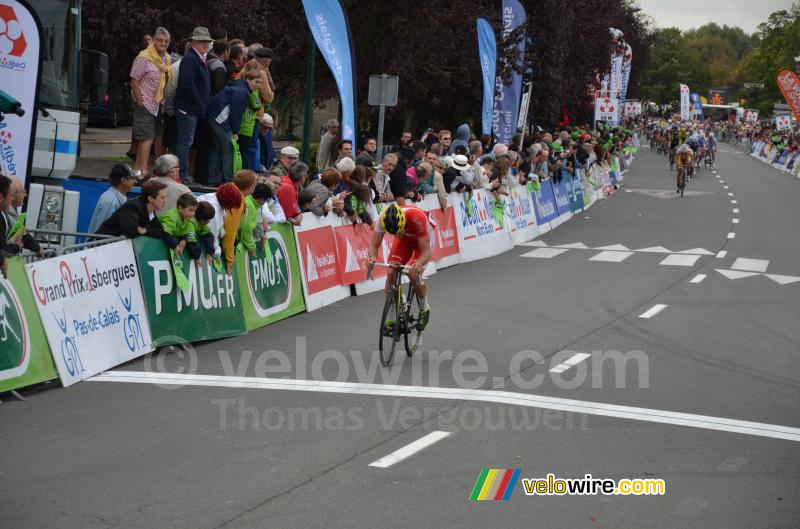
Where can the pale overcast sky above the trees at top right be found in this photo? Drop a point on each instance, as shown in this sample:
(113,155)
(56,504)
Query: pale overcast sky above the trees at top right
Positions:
(688,14)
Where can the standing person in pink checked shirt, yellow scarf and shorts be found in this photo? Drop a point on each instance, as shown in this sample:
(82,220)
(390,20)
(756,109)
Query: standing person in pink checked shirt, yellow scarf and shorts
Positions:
(150,73)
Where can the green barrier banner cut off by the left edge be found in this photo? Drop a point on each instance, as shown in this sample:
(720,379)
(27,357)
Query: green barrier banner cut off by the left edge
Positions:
(25,357)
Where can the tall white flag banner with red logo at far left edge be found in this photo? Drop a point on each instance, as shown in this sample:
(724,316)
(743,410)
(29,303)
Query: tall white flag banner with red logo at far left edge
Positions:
(20,35)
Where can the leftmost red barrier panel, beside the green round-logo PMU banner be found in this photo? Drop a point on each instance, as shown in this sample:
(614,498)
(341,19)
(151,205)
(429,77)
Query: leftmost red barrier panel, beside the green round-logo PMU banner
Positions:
(317,251)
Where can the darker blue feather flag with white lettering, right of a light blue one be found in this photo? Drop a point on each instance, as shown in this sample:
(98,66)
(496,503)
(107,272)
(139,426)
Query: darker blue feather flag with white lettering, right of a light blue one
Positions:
(506,105)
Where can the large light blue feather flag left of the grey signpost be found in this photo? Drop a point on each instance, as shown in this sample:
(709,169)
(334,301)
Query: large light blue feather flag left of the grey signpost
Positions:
(331,30)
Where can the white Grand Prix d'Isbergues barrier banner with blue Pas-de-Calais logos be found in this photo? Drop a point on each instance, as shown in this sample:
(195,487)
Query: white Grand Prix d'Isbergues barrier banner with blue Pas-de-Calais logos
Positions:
(92,309)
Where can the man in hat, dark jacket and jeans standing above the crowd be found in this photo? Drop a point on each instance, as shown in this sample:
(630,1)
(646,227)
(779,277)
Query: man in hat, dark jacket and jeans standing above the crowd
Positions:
(191,95)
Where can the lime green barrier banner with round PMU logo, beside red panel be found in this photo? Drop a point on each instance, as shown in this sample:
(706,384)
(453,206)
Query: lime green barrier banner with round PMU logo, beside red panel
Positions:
(270,284)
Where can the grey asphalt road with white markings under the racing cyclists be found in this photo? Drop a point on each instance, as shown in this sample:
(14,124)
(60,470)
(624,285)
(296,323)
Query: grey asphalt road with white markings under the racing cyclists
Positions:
(296,452)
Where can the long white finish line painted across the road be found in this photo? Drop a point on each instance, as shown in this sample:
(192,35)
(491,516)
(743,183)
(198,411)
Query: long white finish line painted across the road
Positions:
(457,394)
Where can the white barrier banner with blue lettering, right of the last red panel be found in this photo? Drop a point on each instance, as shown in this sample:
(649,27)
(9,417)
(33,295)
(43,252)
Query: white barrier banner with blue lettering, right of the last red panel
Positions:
(479,233)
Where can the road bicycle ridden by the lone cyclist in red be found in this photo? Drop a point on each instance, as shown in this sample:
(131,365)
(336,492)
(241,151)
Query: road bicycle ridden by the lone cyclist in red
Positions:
(400,316)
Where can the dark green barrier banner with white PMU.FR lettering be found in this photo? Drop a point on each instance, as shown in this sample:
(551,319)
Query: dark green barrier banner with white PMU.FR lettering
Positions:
(210,308)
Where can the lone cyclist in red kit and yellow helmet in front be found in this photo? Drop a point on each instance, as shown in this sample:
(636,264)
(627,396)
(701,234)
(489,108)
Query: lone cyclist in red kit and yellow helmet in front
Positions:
(411,247)
